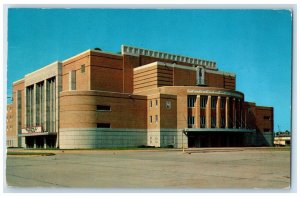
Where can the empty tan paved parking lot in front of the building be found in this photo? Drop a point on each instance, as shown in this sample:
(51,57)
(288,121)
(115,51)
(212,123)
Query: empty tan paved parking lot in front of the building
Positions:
(230,168)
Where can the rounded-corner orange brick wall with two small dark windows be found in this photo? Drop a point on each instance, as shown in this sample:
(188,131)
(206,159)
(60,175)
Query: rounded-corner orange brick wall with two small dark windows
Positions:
(79,110)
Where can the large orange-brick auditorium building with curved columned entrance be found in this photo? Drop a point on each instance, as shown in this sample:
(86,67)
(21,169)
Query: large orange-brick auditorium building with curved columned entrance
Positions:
(139,97)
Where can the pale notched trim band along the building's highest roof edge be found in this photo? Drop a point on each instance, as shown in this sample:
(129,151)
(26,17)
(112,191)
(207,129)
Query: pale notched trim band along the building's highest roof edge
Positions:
(130,50)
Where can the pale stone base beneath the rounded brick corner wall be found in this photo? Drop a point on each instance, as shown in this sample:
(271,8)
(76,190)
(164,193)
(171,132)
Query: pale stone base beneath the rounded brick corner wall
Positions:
(85,138)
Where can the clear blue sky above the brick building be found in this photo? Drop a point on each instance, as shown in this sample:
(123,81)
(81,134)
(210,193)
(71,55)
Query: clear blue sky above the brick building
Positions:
(254,44)
